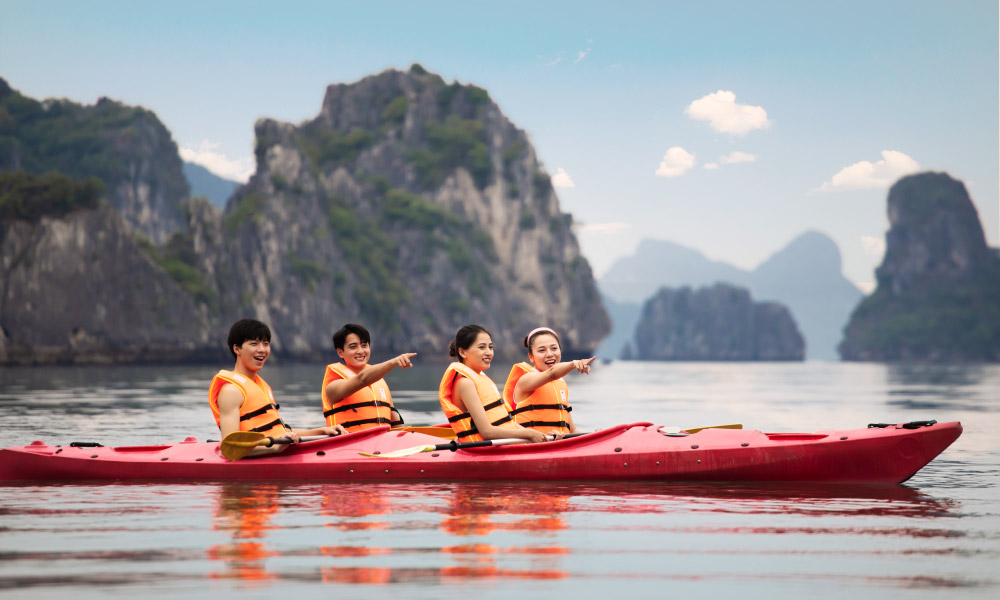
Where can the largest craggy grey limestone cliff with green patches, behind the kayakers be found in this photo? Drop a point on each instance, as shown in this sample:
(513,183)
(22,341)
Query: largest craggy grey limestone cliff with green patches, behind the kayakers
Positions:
(414,207)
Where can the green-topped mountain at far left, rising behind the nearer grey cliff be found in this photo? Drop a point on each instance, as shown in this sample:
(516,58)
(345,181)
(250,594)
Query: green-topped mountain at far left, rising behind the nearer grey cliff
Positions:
(127,148)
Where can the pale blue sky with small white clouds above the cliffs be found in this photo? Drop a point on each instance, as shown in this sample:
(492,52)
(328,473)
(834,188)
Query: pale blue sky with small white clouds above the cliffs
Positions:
(730,127)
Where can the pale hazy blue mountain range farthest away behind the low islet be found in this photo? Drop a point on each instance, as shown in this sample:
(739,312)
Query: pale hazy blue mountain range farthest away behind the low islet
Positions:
(805,276)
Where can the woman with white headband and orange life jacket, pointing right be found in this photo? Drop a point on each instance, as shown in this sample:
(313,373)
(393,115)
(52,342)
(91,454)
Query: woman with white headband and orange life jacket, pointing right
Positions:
(538,392)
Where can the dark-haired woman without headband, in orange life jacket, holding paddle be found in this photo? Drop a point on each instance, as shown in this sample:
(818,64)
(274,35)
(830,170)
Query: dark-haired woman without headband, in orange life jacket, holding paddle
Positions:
(470,399)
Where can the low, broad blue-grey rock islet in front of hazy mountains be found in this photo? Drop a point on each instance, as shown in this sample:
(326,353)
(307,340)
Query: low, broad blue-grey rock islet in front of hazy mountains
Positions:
(718,323)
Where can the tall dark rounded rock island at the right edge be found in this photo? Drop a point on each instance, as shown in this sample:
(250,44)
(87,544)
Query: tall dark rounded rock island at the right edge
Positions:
(938,294)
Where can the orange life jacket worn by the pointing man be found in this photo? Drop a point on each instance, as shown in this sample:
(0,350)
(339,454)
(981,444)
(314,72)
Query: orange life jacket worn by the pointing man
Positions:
(368,407)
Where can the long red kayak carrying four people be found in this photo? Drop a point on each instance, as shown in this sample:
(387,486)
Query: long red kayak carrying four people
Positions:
(641,451)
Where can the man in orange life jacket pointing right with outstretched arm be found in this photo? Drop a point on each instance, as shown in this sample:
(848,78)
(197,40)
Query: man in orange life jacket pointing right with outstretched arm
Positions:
(355,394)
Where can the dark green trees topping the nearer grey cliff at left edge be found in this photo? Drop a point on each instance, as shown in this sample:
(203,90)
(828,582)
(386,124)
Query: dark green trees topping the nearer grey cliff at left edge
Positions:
(30,197)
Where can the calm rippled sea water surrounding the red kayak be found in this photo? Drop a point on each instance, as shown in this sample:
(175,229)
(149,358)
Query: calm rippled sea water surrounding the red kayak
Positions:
(937,536)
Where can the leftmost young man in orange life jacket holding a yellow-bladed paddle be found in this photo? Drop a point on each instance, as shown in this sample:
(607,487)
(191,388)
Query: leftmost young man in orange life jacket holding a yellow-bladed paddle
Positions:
(242,401)
